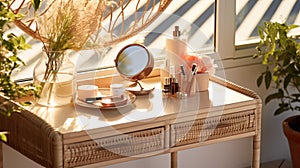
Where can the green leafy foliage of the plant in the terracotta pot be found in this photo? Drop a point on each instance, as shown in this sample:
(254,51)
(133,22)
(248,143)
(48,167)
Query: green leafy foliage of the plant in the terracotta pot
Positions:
(281,55)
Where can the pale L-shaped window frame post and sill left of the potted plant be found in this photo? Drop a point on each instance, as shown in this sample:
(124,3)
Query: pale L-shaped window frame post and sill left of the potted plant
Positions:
(230,55)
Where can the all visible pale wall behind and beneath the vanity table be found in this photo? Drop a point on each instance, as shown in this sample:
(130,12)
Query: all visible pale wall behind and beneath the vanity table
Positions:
(233,154)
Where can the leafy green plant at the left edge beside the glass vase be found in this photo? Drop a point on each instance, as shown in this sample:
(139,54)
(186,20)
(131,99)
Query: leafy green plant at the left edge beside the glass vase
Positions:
(10,45)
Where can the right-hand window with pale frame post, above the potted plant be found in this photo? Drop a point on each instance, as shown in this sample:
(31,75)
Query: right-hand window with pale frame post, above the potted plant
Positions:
(237,22)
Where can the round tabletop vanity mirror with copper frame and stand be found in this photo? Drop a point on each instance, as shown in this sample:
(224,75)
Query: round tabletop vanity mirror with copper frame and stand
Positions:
(134,62)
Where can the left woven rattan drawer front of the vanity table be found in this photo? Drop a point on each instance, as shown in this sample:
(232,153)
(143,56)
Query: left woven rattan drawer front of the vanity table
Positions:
(114,147)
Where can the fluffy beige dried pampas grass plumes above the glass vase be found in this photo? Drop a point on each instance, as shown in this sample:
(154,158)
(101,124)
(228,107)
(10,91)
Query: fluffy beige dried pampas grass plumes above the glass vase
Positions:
(68,24)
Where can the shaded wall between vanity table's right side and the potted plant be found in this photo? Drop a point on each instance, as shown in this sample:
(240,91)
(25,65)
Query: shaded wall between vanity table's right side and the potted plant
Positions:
(274,144)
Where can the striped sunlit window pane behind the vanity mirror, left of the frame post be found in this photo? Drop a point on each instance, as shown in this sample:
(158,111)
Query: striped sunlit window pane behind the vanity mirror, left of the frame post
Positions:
(196,19)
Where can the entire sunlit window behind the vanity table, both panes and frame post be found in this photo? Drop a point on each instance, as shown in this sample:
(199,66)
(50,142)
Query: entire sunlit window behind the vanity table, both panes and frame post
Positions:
(228,27)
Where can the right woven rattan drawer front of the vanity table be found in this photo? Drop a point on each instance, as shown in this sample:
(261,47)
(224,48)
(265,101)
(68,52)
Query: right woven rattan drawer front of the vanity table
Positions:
(212,128)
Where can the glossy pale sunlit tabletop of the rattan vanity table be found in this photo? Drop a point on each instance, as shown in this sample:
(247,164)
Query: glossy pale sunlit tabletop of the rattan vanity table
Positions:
(148,108)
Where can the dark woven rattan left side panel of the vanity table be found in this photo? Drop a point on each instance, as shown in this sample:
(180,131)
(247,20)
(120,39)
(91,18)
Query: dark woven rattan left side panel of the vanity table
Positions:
(32,137)
